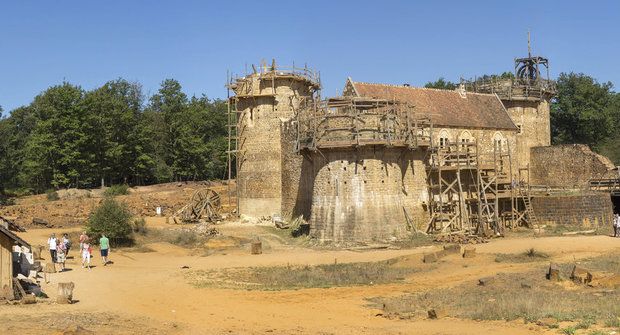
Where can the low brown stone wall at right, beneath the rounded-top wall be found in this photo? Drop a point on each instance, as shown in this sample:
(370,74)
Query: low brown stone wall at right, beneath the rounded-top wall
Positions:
(587,210)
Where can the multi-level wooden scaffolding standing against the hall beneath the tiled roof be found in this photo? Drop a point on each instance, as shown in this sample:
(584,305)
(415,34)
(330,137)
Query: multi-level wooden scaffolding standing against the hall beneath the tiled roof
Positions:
(469,190)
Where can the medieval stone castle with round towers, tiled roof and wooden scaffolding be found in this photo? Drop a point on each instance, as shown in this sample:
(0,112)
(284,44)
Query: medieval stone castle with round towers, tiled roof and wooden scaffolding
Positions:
(382,160)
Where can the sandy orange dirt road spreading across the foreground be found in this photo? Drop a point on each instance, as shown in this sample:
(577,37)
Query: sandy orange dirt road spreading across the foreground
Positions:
(149,292)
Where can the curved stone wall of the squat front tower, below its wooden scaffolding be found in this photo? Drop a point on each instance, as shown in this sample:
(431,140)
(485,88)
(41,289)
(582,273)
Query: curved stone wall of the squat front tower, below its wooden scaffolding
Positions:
(362,195)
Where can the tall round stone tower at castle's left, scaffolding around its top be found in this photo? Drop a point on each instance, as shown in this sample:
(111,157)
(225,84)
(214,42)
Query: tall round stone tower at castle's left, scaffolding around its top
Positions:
(262,108)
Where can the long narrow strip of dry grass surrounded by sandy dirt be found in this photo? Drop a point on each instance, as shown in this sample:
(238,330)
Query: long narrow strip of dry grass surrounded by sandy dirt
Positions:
(298,277)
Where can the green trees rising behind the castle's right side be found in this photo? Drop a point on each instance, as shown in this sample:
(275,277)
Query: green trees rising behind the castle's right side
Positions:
(584,111)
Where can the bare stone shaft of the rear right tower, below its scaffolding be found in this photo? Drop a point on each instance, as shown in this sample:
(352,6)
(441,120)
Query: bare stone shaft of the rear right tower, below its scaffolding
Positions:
(533,119)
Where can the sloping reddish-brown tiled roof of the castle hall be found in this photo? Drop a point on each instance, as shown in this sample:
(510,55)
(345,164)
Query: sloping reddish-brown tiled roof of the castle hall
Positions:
(447,108)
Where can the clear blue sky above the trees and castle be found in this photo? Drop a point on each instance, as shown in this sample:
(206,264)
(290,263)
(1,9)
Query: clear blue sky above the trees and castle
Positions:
(88,43)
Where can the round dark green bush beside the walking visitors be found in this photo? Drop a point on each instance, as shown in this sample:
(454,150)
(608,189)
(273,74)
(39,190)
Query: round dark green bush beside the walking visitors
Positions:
(112,219)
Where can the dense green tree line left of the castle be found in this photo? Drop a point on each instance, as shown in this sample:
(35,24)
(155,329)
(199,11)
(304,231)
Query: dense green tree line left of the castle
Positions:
(70,137)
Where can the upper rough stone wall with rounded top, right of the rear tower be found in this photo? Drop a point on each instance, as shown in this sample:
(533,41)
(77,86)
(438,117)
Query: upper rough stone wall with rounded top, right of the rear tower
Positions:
(568,166)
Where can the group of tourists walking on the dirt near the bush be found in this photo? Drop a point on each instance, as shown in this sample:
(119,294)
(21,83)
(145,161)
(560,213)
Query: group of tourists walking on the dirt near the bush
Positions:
(59,249)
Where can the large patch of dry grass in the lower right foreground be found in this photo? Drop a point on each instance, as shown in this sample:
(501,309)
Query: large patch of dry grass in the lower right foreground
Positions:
(513,296)
